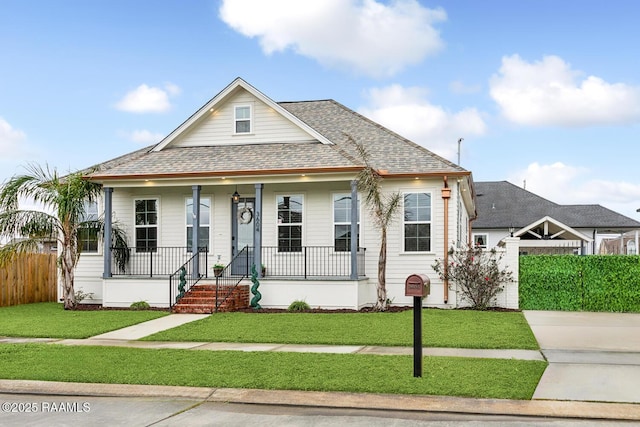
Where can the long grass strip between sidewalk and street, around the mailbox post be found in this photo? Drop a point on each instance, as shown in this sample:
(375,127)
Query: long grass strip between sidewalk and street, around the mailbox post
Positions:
(481,378)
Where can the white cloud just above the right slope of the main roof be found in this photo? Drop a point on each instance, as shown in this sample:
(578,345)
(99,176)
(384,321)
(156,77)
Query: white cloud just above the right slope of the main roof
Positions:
(407,112)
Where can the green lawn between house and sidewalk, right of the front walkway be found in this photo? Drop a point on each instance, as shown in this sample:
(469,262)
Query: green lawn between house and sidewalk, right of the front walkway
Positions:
(441,328)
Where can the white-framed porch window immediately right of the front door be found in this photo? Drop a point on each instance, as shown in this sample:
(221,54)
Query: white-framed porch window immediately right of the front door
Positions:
(290,223)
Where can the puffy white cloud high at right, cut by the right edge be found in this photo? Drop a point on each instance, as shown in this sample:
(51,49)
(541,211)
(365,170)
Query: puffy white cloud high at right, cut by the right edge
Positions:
(549,92)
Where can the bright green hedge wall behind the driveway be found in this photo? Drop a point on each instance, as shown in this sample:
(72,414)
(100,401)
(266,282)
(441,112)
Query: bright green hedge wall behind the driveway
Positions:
(580,283)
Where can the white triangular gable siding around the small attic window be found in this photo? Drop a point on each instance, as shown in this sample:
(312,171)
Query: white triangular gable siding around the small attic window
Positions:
(268,126)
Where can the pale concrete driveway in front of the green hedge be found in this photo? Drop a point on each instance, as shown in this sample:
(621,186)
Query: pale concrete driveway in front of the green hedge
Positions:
(592,356)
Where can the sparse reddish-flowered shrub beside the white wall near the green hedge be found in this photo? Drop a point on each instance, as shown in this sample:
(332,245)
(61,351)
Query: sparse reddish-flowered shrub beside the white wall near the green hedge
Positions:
(476,275)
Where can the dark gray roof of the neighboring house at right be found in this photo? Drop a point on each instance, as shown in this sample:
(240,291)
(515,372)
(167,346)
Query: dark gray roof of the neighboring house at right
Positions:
(501,204)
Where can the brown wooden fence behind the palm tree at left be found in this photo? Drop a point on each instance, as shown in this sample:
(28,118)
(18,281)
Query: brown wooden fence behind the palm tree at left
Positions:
(28,278)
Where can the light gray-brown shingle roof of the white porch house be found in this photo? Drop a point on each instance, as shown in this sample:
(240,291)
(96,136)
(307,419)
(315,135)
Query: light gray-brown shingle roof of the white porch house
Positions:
(388,150)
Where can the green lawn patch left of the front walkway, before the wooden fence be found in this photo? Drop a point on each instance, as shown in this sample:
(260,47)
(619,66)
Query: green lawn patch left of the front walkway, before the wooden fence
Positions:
(50,320)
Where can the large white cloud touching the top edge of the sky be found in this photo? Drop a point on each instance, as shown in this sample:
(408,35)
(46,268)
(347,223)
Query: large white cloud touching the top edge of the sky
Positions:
(366,36)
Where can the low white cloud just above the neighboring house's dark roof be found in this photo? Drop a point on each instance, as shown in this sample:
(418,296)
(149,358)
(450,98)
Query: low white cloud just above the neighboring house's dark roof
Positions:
(565,185)
